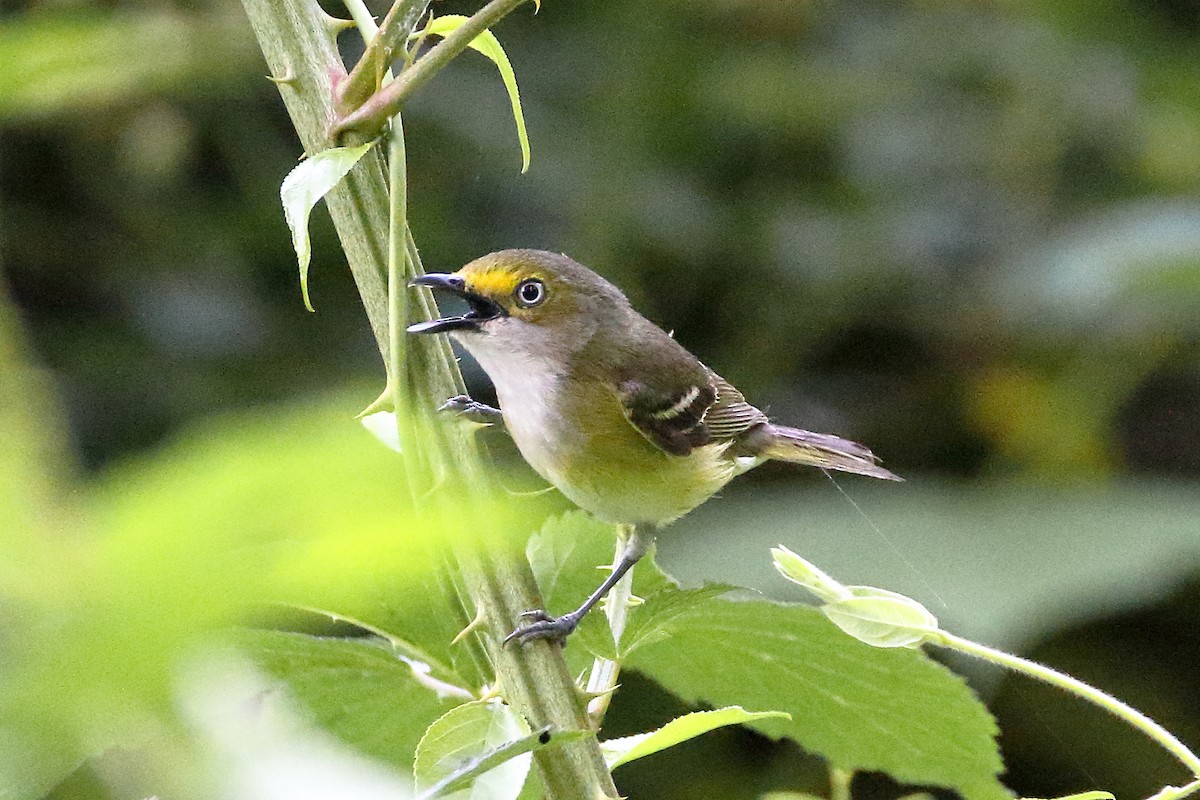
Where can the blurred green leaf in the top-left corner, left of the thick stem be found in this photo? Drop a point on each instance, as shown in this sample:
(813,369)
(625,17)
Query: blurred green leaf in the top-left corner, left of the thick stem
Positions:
(74,61)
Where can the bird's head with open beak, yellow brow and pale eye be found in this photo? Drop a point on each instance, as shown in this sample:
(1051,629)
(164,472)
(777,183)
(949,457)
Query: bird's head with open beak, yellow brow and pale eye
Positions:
(524,300)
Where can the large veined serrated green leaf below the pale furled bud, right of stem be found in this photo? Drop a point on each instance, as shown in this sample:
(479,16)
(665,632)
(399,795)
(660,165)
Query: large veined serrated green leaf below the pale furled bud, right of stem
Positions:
(862,708)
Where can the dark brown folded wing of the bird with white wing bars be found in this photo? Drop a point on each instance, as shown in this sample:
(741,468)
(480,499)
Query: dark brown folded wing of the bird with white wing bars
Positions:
(680,419)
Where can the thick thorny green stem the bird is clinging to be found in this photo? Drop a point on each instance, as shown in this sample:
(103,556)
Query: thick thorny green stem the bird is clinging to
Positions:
(297,38)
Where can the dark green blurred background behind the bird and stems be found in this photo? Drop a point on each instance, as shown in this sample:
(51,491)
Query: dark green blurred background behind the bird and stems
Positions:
(967,233)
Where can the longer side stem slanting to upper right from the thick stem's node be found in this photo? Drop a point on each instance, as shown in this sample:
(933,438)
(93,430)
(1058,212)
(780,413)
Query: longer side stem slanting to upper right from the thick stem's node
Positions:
(369,119)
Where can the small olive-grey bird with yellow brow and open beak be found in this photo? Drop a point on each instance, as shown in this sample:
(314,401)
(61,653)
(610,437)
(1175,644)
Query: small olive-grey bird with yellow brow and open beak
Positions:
(607,406)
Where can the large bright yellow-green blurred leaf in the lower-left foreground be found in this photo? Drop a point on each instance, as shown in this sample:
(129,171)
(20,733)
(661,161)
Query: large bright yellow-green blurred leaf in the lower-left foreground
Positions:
(299,506)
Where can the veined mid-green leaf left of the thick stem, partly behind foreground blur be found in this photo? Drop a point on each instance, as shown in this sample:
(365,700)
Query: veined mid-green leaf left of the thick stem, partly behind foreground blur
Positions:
(357,690)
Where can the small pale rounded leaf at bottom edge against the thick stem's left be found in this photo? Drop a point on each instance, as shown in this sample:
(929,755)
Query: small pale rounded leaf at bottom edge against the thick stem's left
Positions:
(459,744)
